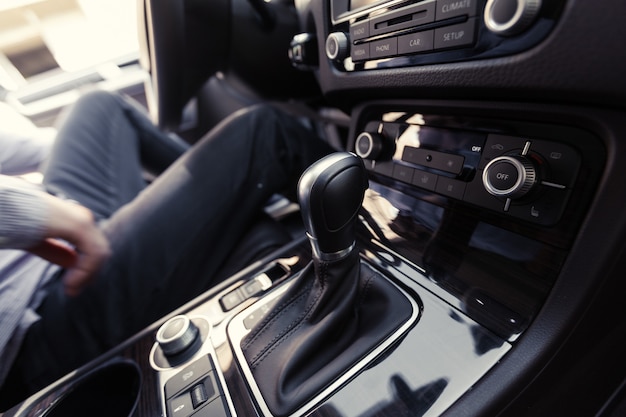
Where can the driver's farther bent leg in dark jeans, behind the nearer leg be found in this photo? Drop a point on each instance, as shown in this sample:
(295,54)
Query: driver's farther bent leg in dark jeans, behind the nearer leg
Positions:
(100,152)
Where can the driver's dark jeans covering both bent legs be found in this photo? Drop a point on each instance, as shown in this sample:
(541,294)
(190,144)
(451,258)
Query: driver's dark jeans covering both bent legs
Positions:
(168,238)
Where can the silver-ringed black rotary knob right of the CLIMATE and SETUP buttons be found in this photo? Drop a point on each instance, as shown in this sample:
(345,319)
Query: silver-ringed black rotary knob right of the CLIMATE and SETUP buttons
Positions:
(510,17)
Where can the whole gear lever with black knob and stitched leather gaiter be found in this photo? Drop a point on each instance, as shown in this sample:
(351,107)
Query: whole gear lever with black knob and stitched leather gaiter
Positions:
(337,310)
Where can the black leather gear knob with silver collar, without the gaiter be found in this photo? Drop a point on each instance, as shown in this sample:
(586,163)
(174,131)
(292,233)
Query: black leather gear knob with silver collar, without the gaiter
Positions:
(330,193)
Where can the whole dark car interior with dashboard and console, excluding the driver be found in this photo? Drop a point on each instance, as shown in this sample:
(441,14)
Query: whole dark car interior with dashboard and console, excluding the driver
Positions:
(474,213)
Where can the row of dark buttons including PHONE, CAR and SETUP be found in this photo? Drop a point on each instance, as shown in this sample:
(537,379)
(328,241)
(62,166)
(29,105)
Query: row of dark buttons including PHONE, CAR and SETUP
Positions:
(454,36)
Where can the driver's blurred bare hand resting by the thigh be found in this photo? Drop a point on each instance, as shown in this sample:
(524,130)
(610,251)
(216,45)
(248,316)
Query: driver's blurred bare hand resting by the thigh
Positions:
(74,224)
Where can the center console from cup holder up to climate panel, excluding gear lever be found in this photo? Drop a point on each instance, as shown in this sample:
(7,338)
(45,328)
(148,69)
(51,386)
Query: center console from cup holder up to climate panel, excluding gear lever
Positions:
(468,216)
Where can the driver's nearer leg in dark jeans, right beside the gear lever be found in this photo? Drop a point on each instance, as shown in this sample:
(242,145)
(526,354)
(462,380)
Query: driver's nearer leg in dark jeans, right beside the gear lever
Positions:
(169,241)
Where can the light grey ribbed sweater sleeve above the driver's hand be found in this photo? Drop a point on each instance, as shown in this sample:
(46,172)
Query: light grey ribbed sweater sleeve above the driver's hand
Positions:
(23,214)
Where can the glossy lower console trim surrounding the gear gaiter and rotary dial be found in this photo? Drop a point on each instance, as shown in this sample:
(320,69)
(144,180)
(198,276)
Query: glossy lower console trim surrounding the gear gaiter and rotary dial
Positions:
(428,368)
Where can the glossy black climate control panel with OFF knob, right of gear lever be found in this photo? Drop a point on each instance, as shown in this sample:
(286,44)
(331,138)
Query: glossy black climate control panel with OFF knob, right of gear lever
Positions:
(495,257)
